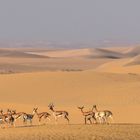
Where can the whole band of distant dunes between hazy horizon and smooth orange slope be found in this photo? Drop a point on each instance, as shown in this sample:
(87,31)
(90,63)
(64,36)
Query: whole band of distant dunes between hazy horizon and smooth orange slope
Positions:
(102,59)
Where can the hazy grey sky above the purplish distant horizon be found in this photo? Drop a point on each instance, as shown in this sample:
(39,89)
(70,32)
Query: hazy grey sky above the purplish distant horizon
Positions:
(70,20)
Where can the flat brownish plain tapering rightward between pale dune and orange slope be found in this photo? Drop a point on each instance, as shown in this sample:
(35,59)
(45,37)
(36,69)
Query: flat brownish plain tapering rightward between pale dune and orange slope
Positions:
(19,65)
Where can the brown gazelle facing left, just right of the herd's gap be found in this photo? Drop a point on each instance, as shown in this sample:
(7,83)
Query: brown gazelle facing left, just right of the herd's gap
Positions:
(88,115)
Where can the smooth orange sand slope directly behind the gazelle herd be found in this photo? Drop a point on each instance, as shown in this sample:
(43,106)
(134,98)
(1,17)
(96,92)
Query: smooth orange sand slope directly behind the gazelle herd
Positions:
(116,92)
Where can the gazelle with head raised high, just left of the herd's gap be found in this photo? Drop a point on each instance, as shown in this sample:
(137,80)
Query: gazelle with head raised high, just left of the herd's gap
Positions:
(57,114)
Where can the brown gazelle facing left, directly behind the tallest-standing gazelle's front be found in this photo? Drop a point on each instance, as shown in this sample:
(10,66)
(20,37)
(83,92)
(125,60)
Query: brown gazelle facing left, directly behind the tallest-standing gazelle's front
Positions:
(41,115)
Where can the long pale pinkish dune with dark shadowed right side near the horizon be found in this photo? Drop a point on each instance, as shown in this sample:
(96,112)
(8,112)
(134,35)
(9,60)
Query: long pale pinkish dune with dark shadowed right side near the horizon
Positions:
(91,53)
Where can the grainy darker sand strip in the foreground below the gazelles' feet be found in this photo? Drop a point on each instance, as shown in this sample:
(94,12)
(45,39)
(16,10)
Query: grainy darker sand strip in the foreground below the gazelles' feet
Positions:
(72,132)
